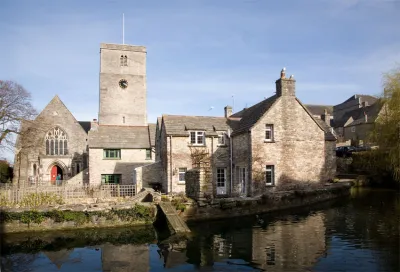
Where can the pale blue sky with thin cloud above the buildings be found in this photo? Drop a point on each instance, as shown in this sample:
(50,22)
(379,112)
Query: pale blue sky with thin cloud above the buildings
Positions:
(201,54)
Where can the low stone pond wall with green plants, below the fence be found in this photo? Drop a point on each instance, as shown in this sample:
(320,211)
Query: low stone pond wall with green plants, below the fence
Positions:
(108,214)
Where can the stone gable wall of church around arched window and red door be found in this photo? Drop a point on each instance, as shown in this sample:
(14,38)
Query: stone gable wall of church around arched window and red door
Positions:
(31,148)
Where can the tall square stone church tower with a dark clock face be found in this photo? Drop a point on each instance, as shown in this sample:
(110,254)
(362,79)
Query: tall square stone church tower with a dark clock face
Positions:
(122,85)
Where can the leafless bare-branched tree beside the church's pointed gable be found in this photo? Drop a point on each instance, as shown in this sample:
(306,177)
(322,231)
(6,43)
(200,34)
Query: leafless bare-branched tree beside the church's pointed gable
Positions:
(15,106)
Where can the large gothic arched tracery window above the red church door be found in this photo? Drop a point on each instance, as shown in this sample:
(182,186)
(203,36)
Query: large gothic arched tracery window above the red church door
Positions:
(56,142)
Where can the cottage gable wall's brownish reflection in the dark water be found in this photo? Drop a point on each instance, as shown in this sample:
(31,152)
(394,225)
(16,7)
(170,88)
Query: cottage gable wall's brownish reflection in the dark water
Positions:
(289,245)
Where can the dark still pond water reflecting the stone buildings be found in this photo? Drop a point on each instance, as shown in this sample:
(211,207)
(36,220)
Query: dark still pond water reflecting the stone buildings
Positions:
(359,233)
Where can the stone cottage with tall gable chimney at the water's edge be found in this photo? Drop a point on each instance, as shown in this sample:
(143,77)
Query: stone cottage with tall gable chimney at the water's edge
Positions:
(274,141)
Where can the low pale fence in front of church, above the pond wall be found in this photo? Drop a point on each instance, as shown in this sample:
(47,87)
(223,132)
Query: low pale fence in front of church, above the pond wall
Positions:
(13,194)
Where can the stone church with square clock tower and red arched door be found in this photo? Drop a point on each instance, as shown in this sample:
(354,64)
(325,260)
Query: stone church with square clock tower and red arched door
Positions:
(55,147)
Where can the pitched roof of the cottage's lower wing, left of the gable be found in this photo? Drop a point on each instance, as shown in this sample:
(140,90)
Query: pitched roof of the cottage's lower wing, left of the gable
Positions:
(179,125)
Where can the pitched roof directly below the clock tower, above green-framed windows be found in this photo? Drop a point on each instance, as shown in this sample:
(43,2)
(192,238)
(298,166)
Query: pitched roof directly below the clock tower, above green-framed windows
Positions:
(106,136)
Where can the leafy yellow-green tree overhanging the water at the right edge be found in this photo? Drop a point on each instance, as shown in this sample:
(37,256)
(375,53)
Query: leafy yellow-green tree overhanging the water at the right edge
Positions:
(386,133)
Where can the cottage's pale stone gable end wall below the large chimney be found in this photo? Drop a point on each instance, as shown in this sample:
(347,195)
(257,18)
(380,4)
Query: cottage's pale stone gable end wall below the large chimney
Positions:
(298,148)
